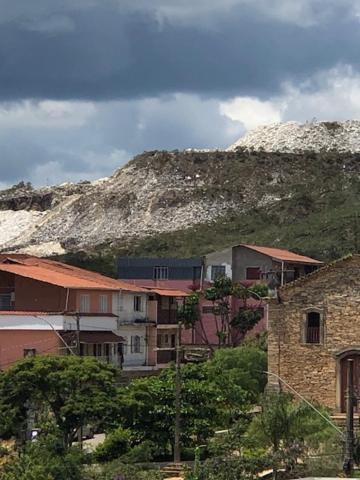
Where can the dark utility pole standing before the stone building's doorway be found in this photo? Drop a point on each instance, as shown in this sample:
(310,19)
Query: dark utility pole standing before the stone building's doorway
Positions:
(348,466)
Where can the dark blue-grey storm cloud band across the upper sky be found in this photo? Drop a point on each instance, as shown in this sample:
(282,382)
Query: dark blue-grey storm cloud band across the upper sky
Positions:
(106,52)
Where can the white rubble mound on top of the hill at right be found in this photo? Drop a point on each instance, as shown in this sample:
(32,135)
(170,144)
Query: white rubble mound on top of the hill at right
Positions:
(299,137)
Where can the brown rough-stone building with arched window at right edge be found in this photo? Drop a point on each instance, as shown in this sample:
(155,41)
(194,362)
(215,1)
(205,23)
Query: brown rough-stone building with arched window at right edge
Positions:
(314,327)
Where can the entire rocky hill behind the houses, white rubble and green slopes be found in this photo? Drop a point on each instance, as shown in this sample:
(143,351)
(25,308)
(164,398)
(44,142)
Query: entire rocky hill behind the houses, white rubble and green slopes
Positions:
(192,202)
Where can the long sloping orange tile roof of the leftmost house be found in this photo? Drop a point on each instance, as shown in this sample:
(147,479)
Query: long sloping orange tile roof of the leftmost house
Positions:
(60,274)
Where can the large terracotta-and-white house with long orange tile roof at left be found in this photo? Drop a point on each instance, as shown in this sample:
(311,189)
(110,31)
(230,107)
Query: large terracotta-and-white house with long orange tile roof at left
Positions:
(50,307)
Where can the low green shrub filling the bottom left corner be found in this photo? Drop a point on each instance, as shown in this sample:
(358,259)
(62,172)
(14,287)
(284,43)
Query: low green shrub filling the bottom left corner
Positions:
(45,459)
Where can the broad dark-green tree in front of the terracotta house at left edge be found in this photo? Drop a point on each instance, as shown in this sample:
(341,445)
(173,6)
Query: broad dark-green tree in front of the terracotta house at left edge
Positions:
(75,391)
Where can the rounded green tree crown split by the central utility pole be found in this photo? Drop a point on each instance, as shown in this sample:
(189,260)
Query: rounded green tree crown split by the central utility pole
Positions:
(148,407)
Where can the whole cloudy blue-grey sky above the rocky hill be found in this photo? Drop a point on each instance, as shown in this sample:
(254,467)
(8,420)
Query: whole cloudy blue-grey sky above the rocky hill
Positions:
(87,84)
